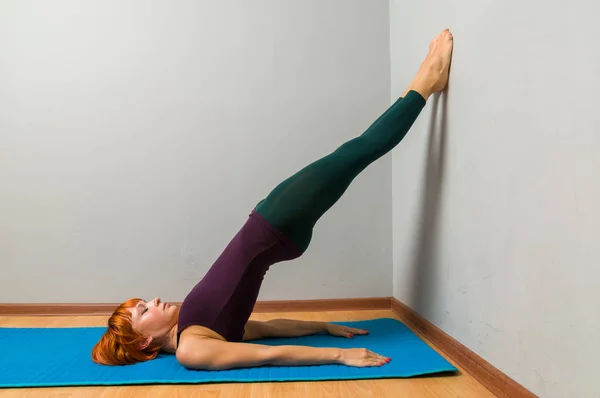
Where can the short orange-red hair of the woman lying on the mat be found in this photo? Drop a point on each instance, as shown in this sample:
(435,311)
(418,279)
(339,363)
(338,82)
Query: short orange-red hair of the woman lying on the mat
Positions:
(120,344)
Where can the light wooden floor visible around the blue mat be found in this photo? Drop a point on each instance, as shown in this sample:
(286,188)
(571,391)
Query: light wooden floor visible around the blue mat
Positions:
(462,385)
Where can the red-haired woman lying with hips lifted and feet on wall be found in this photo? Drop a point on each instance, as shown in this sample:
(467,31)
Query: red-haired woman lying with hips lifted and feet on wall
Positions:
(209,330)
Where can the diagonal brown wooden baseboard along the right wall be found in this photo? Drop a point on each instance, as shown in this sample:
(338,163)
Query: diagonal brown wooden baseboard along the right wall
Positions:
(493,379)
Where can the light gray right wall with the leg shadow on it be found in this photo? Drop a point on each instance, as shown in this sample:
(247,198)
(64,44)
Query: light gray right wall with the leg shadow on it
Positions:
(496,189)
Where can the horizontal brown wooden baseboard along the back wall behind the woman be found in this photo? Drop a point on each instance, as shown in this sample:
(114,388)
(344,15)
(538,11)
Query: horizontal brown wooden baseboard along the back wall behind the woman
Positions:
(81,309)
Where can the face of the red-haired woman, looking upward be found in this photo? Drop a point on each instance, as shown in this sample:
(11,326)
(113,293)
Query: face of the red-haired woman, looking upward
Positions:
(153,318)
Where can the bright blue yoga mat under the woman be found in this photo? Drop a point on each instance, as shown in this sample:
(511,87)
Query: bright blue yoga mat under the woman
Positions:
(43,357)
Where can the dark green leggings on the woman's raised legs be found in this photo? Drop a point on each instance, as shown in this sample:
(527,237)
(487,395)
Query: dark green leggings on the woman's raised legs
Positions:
(296,204)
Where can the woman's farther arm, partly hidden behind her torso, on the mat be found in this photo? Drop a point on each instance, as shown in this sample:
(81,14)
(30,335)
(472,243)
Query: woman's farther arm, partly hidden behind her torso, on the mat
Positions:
(294,328)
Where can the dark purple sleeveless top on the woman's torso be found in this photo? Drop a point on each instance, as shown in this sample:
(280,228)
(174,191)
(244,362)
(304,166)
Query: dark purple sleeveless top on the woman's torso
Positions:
(224,299)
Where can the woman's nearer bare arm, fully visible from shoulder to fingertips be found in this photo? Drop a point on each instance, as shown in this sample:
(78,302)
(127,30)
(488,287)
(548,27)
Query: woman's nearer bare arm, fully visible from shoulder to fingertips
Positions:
(212,354)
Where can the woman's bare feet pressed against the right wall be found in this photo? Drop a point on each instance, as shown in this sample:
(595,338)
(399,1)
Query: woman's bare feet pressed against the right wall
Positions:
(433,74)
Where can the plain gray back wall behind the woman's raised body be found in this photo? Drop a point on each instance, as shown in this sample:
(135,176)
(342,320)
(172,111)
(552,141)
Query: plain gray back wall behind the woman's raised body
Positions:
(135,138)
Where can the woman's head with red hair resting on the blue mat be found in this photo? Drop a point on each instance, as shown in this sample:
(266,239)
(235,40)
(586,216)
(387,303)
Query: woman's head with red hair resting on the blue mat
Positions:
(136,332)
